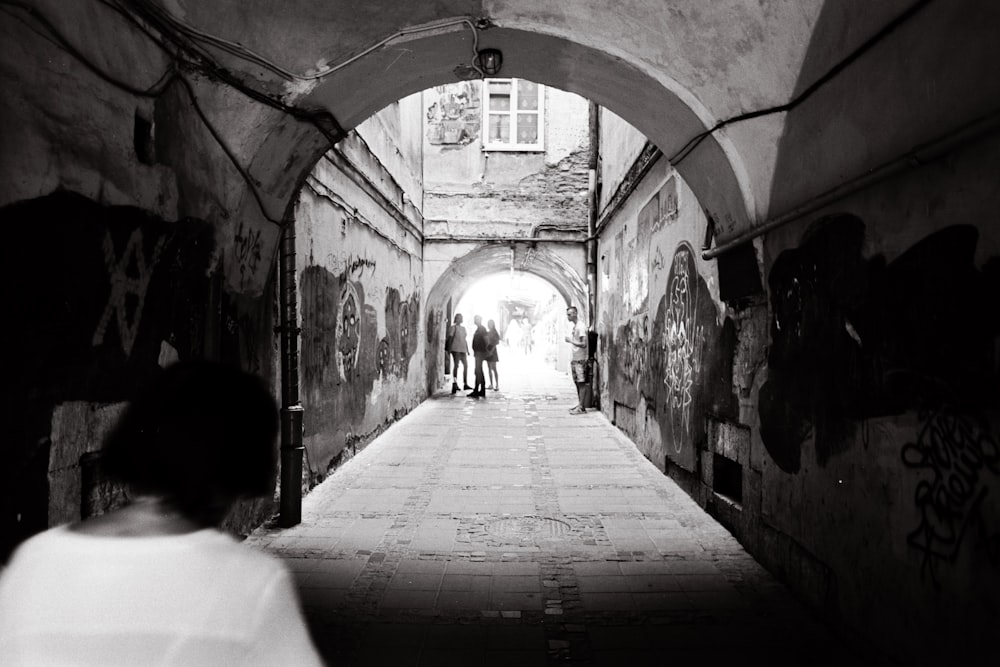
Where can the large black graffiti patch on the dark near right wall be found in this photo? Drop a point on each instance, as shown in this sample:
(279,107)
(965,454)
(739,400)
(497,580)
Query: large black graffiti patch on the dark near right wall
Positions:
(854,338)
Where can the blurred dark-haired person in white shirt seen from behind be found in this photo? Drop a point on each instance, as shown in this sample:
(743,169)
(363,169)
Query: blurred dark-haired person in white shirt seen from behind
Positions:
(157,582)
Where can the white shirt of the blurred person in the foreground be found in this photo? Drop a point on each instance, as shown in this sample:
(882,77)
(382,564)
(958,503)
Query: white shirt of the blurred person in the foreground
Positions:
(193,599)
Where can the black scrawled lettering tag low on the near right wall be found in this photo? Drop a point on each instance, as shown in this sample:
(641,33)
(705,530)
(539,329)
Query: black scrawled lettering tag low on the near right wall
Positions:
(959,454)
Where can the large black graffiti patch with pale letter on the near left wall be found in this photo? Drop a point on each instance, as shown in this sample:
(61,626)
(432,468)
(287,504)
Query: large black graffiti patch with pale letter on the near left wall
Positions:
(118,282)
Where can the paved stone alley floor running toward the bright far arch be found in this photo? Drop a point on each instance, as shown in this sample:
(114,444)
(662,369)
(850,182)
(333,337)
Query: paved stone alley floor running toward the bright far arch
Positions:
(505,531)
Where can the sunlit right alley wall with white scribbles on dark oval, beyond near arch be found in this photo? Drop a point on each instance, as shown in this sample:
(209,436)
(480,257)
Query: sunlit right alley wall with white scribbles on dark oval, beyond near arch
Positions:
(665,340)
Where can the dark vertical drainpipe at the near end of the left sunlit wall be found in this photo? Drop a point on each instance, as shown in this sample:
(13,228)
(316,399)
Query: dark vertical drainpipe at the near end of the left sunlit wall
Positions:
(291,409)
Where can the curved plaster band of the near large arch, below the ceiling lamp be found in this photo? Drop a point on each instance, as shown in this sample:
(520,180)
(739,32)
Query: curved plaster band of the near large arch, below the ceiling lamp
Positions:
(282,149)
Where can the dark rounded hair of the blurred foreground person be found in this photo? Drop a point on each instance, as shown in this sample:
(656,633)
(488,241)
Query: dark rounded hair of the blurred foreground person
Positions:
(200,434)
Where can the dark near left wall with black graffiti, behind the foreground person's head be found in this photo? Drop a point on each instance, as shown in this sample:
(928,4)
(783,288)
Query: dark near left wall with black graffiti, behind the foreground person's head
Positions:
(123,249)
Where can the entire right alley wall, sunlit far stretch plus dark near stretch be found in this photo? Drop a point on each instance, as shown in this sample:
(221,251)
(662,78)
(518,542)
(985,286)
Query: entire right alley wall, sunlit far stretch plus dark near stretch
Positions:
(850,433)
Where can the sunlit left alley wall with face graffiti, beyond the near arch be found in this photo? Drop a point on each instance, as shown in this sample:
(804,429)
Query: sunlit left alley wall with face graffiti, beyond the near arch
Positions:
(359,267)
